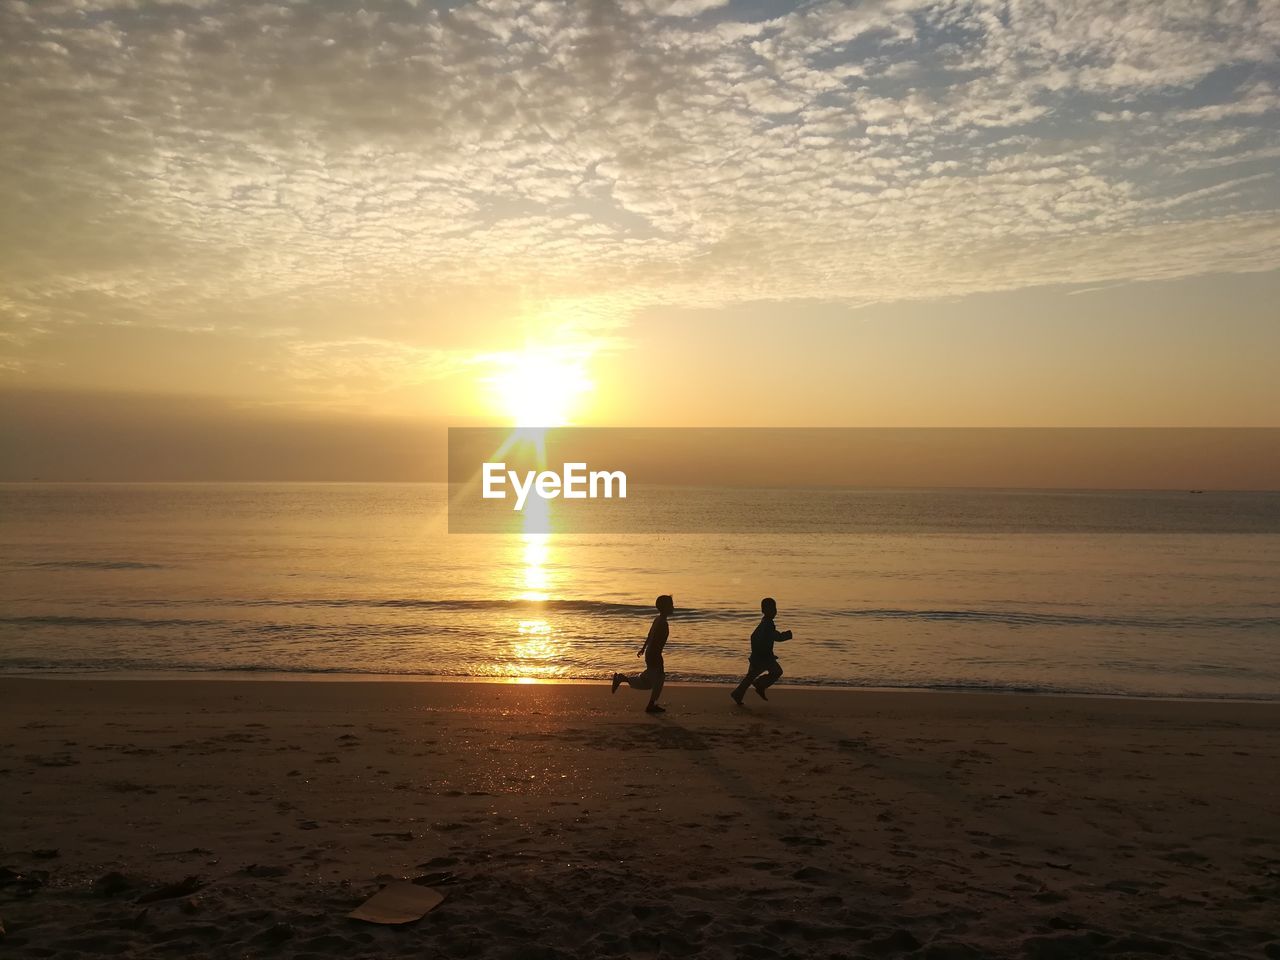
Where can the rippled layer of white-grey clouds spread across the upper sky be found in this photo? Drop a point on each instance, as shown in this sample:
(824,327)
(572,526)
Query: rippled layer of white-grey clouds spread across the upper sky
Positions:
(231,163)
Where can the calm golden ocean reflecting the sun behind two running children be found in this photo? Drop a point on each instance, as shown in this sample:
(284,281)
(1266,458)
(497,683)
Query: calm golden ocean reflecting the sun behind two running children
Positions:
(364,580)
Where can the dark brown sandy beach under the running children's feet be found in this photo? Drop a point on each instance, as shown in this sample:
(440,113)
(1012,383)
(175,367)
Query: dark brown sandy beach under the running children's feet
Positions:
(822,824)
